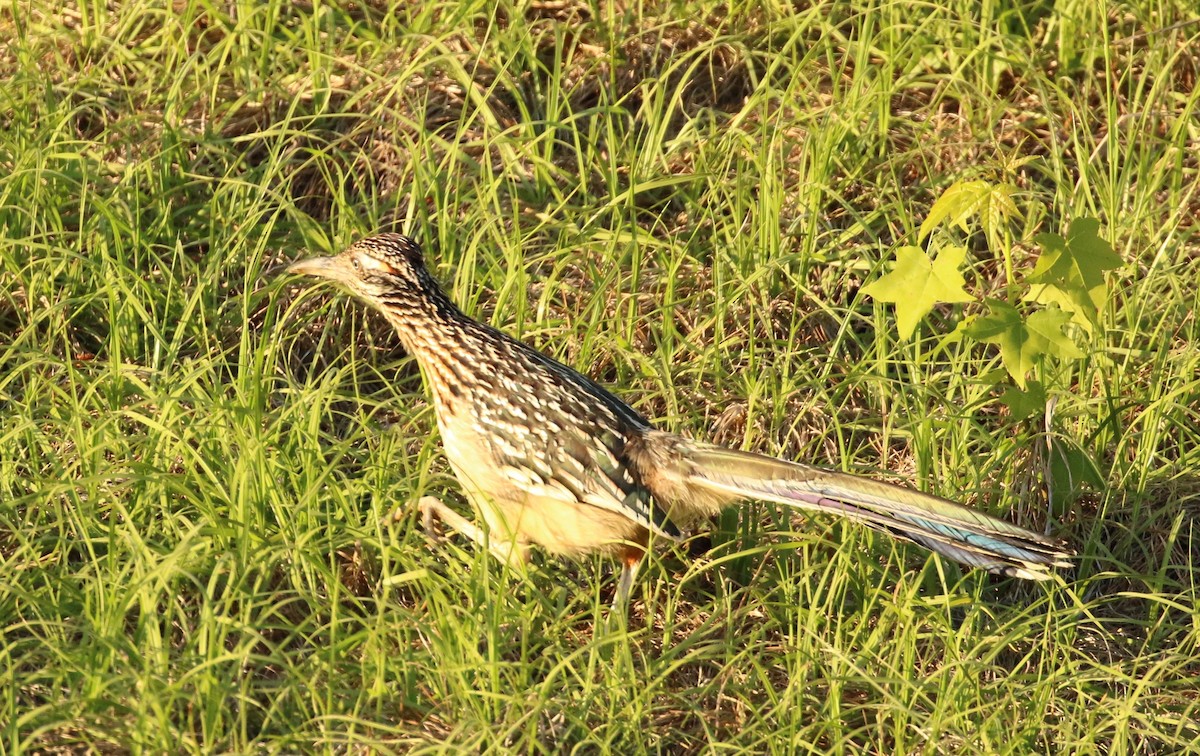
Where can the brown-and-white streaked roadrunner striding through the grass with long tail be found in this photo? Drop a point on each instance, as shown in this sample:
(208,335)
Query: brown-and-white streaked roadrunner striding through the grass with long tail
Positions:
(549,458)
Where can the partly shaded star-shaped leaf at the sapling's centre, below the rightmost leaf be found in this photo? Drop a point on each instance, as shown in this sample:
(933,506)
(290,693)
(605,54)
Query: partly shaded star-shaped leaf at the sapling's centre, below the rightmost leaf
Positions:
(1023,341)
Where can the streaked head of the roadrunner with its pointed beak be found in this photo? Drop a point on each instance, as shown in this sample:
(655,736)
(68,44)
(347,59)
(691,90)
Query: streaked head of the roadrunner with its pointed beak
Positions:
(380,269)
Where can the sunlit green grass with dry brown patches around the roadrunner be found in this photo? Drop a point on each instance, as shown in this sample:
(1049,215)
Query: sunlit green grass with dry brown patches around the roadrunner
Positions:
(681,199)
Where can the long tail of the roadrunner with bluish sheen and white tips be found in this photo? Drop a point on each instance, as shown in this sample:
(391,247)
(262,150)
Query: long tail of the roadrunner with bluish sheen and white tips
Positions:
(939,525)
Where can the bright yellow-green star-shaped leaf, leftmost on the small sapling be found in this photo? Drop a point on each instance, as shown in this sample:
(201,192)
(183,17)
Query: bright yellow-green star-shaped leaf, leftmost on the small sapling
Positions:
(917,284)
